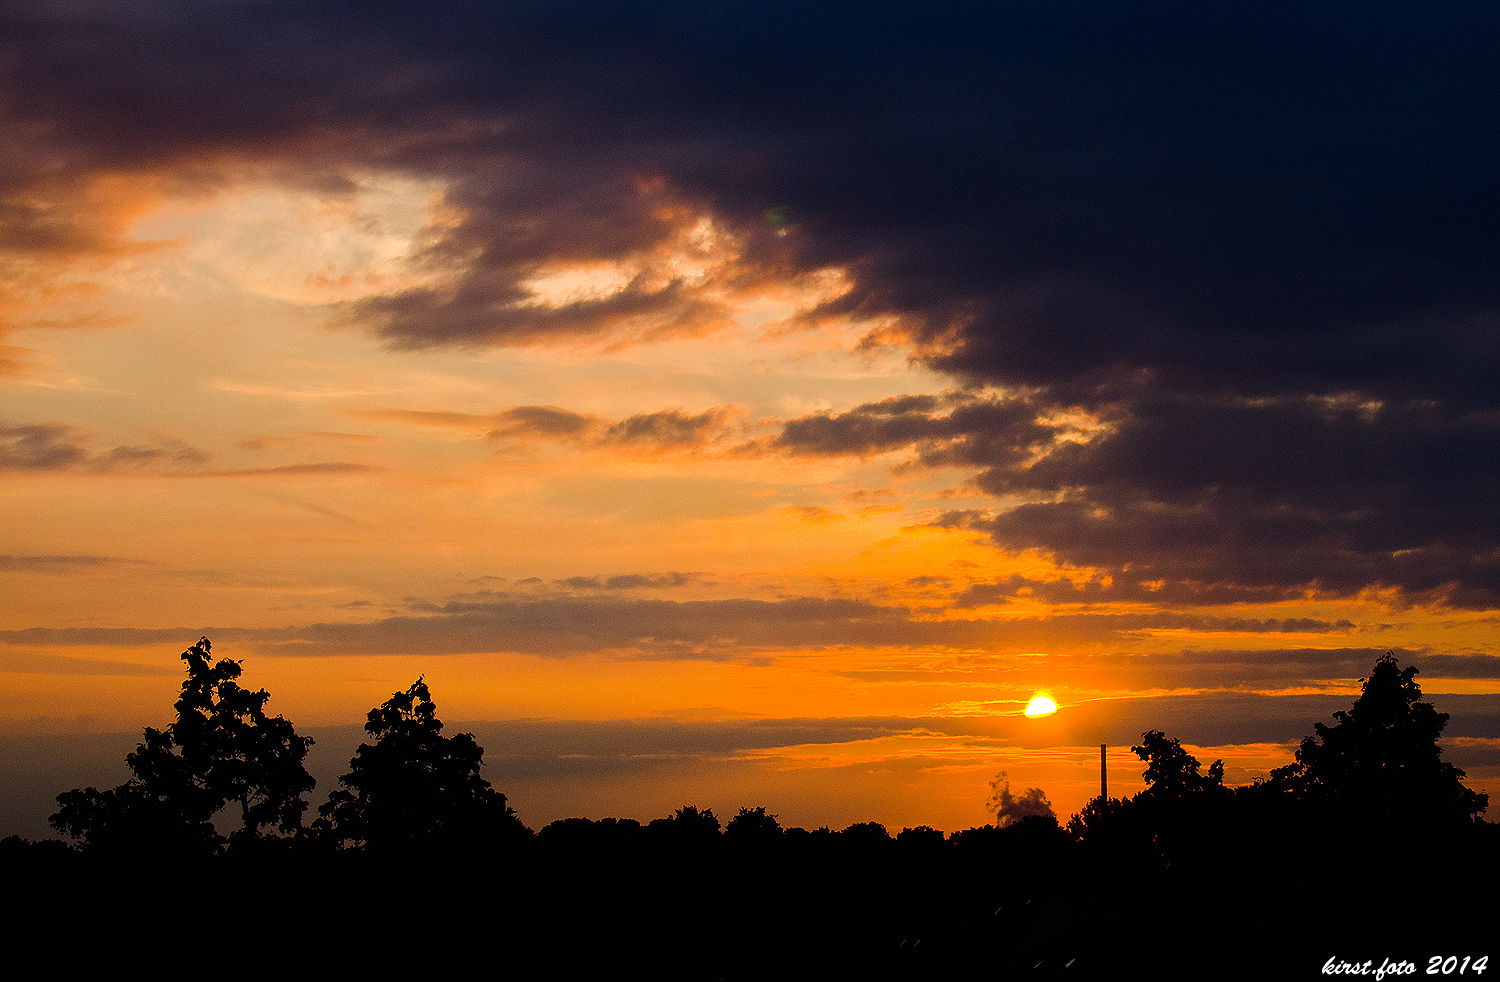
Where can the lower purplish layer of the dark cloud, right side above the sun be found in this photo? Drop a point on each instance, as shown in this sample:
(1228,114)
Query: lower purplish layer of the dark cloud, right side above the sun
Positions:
(1228,498)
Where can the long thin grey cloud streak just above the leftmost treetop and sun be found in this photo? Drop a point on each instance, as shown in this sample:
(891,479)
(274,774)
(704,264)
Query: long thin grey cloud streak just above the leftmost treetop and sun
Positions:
(658,629)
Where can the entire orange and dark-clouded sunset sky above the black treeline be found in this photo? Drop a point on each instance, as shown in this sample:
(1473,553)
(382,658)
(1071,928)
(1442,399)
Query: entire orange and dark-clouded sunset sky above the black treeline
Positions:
(749,406)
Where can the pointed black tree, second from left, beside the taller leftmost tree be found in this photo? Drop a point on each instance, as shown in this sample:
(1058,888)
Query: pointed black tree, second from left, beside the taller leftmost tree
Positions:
(413,786)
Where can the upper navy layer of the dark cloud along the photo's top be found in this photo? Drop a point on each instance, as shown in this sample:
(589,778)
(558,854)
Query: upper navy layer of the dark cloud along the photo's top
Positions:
(1241,196)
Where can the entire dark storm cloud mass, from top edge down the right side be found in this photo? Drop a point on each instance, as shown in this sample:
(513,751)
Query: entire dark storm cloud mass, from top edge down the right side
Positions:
(1256,239)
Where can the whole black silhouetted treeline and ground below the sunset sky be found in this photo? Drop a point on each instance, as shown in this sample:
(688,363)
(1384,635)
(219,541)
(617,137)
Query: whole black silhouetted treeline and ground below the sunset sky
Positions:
(1367,846)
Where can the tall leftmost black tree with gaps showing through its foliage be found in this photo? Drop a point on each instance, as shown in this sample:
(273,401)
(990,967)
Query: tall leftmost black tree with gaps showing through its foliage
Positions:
(221,752)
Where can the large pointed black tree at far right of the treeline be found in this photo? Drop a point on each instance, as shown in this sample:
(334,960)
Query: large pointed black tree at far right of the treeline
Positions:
(1381,759)
